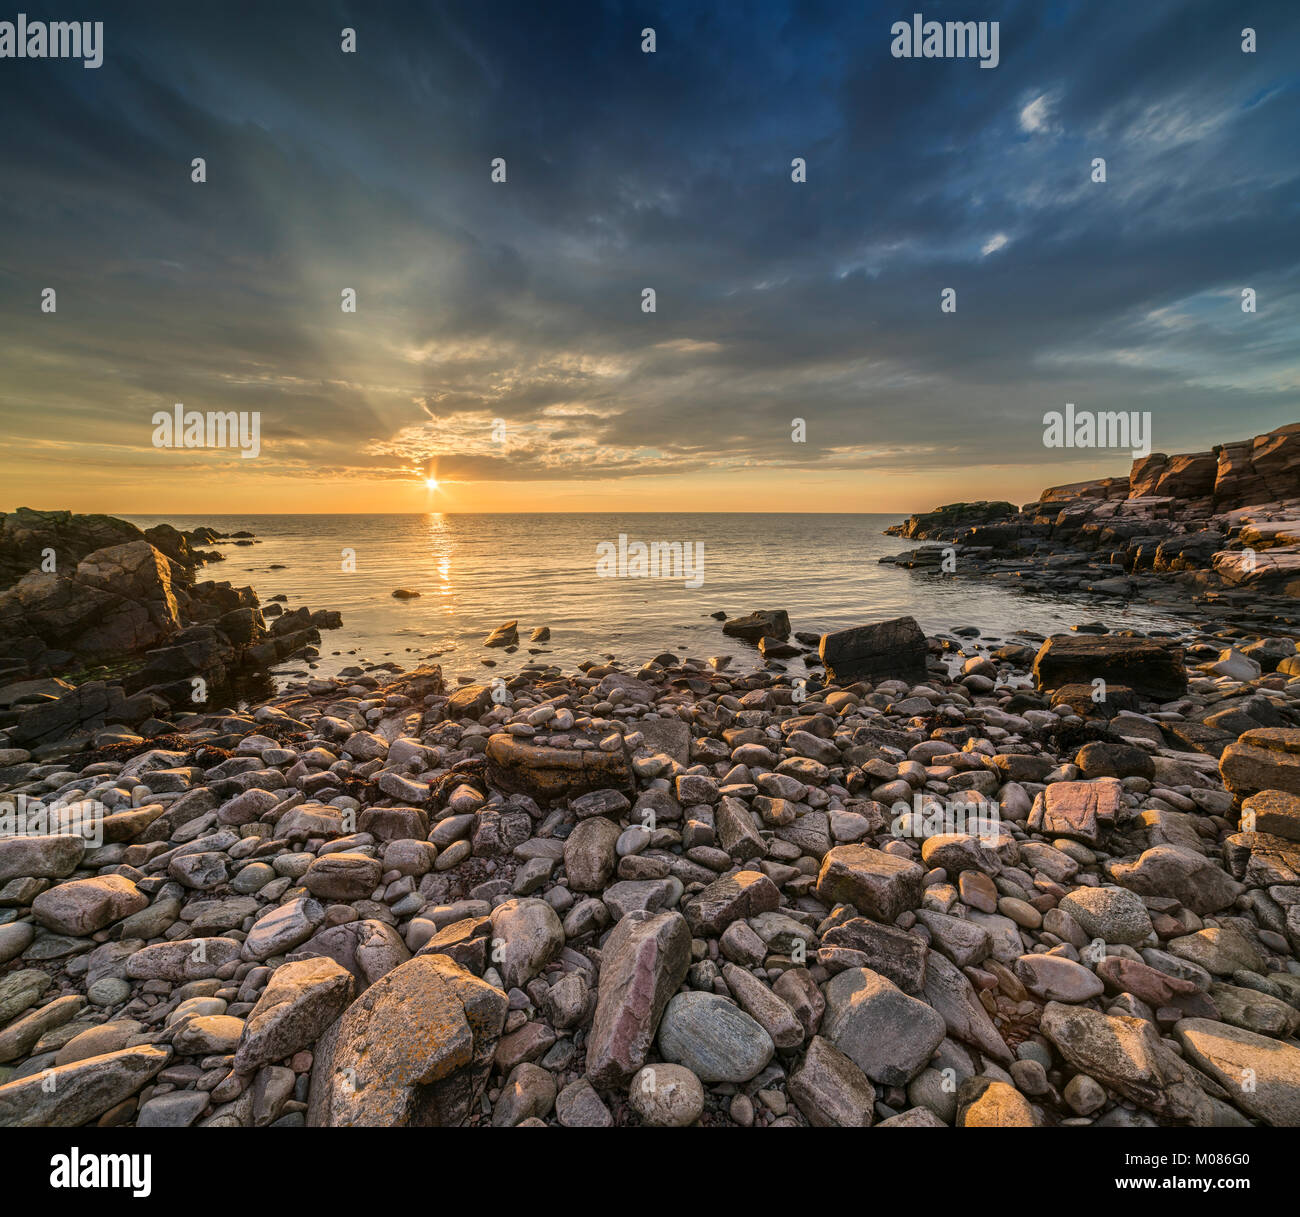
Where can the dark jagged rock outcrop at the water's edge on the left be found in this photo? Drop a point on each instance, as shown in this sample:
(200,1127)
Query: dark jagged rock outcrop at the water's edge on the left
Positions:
(102,623)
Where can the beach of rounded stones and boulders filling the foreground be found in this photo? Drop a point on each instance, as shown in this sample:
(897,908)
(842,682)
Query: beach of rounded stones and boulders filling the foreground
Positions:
(960,881)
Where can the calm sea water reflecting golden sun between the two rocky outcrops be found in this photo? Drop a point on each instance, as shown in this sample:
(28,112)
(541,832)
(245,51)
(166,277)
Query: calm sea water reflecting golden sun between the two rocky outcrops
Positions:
(476,571)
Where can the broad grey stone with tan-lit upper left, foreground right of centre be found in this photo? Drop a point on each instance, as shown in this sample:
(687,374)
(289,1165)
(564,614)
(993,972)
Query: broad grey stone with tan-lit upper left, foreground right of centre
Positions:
(887,1034)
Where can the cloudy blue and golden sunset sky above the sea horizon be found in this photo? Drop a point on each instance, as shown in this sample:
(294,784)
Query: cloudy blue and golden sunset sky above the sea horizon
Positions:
(501,345)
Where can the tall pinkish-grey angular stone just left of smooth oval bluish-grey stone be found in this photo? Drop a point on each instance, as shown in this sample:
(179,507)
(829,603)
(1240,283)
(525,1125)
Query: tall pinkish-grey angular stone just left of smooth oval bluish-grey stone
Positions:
(643,965)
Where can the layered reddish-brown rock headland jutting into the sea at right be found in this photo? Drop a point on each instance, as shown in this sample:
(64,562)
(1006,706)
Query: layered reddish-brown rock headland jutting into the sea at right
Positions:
(1214,536)
